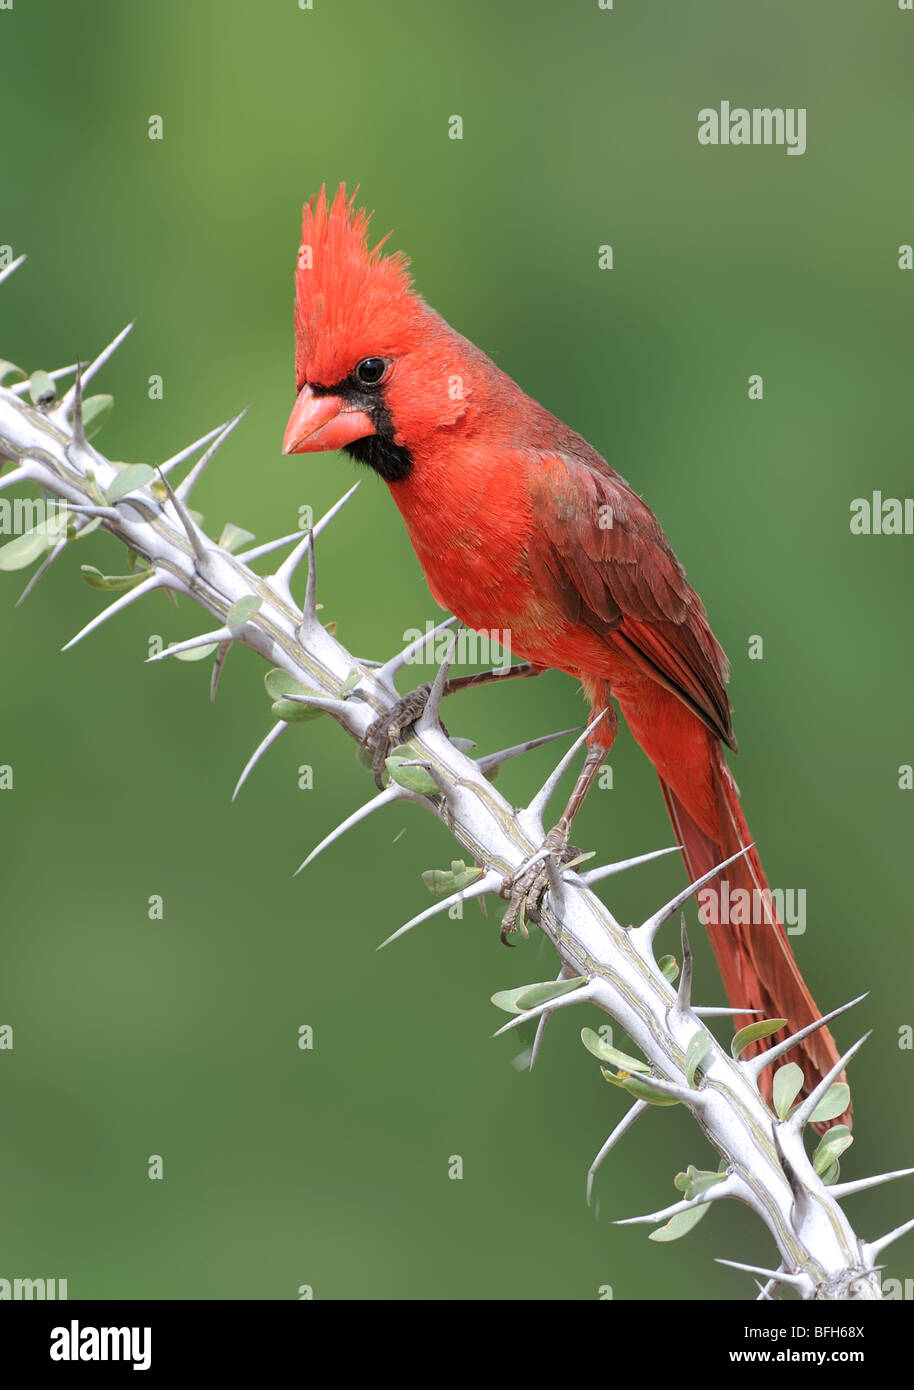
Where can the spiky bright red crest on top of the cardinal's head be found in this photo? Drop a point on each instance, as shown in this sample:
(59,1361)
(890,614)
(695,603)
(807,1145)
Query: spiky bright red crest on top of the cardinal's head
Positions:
(351,301)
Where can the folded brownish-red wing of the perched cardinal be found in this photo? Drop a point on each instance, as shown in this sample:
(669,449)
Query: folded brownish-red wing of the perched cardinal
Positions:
(601,553)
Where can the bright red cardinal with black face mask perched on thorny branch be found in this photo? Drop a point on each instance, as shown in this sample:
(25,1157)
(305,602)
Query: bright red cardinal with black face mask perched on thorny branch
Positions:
(520,525)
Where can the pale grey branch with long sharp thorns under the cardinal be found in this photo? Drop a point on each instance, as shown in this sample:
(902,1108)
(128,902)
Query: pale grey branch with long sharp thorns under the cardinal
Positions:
(766,1164)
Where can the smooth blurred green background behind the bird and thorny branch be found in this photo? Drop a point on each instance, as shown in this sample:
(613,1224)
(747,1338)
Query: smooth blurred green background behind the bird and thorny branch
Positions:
(180,1038)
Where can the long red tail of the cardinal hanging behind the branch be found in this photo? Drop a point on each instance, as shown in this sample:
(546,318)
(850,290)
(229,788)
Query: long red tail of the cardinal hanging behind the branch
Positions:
(751,945)
